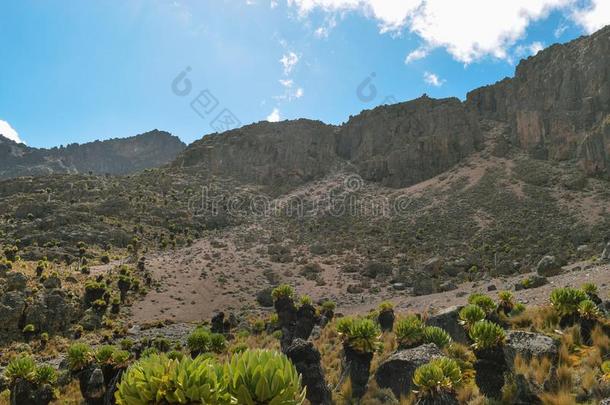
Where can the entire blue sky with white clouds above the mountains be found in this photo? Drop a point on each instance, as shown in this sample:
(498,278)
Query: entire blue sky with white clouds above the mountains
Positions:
(79,71)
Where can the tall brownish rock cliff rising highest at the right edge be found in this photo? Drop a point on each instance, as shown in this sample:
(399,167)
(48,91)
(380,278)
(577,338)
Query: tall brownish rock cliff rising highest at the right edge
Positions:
(558,103)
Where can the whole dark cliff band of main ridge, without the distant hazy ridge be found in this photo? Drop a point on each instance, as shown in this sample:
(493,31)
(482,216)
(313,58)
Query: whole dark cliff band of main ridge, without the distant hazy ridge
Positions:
(557,107)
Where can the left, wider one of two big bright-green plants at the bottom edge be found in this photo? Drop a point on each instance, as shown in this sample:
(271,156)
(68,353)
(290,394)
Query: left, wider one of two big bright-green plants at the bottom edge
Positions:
(158,379)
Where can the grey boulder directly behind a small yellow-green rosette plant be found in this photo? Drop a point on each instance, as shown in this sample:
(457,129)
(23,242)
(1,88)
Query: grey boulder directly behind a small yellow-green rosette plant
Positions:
(396,372)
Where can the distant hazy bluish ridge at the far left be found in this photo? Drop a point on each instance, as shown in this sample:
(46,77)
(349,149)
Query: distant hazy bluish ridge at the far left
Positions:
(115,156)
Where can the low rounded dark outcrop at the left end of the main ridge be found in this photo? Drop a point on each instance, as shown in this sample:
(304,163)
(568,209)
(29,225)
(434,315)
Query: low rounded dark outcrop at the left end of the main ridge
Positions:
(289,152)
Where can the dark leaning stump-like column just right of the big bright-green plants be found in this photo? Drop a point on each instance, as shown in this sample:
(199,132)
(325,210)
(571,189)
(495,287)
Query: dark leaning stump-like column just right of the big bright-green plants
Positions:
(306,359)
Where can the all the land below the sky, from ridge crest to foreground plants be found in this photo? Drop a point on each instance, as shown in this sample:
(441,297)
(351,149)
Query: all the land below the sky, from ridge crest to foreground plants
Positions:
(429,252)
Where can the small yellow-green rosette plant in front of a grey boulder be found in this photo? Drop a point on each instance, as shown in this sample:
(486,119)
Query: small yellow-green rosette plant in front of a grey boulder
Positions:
(440,375)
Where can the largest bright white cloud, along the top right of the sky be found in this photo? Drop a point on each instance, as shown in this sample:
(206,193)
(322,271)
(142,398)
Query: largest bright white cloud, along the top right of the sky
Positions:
(468,29)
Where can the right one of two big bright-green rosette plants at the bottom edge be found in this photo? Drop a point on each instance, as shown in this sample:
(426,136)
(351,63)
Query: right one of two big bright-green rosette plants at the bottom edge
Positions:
(263,377)
